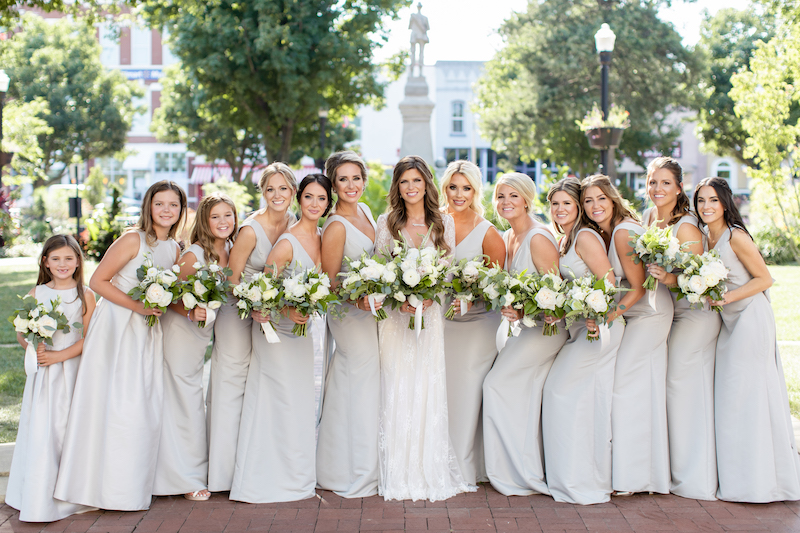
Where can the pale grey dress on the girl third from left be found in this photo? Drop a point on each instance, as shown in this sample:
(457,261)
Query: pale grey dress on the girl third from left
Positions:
(182,465)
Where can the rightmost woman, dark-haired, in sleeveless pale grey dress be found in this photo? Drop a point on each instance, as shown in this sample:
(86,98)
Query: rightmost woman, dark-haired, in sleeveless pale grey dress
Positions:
(756,451)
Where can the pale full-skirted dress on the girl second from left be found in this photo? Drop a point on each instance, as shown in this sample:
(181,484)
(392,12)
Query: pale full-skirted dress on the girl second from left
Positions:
(112,439)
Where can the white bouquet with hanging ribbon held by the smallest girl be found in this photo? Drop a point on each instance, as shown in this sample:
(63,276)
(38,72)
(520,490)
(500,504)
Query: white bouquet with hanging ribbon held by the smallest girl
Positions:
(38,324)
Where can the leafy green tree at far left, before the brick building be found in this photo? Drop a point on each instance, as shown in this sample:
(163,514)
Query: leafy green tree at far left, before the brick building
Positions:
(89,108)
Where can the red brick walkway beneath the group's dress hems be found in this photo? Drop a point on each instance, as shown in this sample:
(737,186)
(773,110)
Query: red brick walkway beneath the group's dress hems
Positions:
(485,510)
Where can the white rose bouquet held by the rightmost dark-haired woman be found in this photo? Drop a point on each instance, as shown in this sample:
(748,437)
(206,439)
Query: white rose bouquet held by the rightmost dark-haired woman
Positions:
(703,275)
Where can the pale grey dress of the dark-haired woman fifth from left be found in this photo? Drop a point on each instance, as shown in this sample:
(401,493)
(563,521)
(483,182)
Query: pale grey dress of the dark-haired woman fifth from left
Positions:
(276,450)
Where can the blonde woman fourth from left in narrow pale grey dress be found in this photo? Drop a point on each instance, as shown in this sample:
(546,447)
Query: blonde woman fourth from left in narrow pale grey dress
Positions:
(230,358)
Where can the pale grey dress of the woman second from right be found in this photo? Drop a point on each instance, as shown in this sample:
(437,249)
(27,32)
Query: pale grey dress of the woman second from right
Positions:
(692,348)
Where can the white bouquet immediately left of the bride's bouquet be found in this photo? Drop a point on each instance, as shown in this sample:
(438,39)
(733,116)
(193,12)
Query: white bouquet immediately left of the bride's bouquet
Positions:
(371,277)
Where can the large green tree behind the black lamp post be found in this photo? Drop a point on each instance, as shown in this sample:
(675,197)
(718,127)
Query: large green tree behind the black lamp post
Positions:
(548,76)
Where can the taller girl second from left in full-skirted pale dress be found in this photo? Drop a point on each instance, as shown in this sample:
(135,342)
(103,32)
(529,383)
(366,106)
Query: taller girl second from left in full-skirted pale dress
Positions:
(112,437)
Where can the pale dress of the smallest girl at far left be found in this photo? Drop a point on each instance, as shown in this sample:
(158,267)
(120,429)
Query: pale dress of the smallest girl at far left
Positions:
(43,422)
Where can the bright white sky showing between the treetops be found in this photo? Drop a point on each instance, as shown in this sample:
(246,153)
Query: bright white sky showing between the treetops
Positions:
(467,29)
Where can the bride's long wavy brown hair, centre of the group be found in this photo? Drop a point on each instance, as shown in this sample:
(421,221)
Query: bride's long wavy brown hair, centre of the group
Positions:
(396,216)
